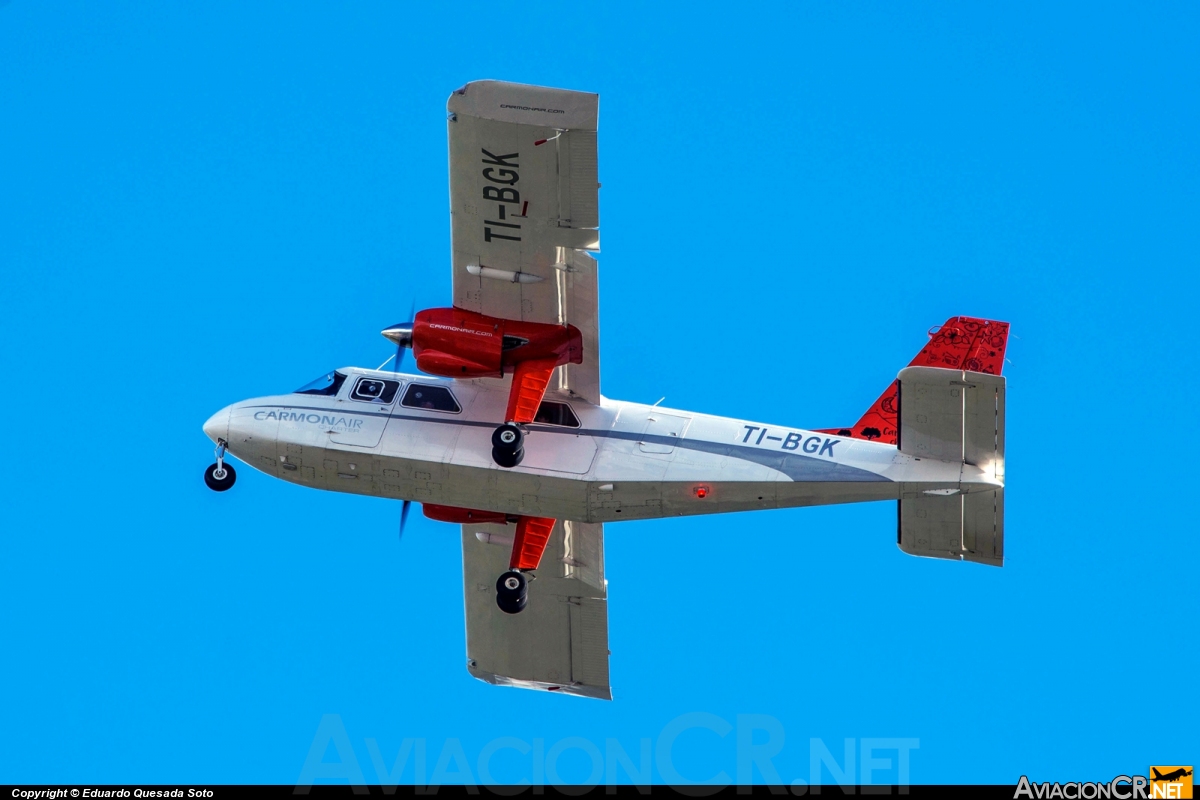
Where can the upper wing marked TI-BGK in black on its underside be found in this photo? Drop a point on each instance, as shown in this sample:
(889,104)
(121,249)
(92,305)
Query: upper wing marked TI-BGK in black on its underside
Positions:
(525,212)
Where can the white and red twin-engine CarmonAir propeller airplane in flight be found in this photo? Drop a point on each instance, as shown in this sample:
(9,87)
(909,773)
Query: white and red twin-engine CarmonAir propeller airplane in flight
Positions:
(506,431)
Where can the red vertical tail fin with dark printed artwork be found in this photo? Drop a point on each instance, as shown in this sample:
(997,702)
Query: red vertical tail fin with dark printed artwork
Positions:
(959,344)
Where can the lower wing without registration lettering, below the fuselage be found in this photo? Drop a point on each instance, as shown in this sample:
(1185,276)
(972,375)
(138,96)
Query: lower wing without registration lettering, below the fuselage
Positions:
(560,642)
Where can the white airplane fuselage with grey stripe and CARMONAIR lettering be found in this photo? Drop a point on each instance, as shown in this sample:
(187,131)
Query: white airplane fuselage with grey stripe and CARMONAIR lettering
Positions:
(625,461)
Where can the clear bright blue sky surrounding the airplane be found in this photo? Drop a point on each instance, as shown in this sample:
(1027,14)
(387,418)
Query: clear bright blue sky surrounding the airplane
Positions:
(206,203)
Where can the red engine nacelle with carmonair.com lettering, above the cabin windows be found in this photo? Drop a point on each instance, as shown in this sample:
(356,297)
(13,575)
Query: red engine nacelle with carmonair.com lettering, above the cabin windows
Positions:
(458,344)
